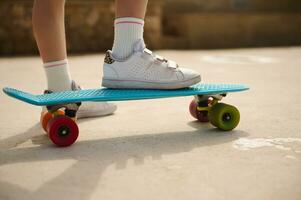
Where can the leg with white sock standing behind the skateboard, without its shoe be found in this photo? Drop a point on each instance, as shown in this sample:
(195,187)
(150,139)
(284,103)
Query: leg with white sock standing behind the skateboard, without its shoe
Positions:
(49,31)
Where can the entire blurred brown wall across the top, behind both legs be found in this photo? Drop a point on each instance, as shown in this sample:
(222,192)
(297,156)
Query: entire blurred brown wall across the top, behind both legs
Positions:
(170,24)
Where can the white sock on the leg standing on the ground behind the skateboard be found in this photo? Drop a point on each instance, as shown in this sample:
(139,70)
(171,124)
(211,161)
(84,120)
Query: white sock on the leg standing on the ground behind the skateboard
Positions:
(58,75)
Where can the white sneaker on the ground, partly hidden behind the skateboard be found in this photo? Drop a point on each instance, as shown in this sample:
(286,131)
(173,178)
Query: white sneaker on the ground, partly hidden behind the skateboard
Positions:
(90,109)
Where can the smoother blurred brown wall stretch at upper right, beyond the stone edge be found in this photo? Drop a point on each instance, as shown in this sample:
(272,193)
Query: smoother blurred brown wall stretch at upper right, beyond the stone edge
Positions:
(231,23)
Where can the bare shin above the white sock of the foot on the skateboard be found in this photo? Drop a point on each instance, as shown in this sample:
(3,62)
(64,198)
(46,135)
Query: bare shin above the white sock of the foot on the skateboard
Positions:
(131,8)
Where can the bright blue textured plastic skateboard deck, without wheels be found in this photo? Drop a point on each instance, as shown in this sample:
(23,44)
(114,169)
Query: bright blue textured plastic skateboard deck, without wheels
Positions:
(106,94)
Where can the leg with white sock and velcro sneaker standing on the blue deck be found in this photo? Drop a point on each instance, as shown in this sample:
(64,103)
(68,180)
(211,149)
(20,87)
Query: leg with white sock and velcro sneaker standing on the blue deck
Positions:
(130,64)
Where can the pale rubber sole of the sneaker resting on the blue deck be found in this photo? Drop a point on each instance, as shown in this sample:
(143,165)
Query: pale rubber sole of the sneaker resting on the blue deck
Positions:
(124,84)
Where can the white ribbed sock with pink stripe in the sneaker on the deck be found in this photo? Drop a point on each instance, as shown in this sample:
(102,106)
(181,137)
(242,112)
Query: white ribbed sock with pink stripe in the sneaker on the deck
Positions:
(127,31)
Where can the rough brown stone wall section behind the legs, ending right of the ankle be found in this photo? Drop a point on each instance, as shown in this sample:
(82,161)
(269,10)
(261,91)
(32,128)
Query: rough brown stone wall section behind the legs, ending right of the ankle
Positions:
(89,26)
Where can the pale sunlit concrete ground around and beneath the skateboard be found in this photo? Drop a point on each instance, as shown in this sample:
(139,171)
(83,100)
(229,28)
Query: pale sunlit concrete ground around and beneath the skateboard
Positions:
(153,149)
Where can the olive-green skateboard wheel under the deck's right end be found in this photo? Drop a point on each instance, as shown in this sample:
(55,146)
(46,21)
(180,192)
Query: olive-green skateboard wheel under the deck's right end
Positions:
(224,116)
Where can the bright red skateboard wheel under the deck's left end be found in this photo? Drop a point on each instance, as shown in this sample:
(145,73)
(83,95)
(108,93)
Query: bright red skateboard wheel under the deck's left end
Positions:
(62,131)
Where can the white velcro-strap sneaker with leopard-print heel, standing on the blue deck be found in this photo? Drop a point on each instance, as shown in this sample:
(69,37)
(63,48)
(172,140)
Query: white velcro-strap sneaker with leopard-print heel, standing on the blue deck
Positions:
(145,70)
